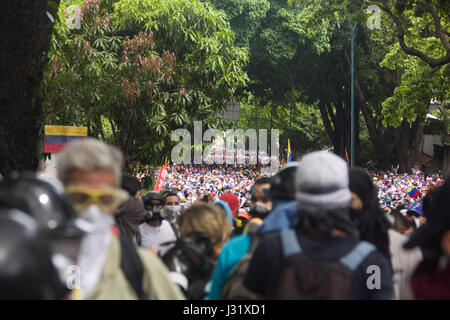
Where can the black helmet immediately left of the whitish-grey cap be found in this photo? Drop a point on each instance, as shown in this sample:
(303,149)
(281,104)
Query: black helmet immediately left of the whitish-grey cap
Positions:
(282,185)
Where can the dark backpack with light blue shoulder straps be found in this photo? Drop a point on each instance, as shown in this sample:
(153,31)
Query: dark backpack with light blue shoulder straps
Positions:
(305,279)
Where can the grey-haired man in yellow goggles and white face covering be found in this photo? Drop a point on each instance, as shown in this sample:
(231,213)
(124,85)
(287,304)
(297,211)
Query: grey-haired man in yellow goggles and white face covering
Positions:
(112,267)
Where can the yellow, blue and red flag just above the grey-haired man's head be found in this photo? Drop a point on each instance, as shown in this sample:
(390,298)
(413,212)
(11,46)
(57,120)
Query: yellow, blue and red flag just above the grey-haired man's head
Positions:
(56,137)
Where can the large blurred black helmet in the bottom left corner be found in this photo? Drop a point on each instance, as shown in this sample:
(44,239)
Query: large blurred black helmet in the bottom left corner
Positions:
(26,267)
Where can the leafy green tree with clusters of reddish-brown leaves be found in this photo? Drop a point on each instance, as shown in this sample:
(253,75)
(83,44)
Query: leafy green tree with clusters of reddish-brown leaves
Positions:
(155,66)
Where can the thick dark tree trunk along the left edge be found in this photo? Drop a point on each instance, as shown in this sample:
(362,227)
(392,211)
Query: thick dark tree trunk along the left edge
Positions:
(26,30)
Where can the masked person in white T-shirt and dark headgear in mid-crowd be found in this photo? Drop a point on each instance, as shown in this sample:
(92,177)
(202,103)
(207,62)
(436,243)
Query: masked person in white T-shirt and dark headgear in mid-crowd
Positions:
(156,231)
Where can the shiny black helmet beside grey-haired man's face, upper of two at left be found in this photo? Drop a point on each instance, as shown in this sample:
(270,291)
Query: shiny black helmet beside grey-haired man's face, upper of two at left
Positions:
(40,199)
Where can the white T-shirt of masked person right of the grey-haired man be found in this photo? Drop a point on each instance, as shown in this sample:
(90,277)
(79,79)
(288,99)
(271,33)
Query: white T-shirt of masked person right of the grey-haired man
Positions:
(153,237)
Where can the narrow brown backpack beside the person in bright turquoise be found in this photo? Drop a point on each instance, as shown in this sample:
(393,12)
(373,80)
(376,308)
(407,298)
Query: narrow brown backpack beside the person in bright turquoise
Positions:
(233,288)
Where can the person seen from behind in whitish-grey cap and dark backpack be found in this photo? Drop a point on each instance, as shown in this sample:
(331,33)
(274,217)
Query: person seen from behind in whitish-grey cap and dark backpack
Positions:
(322,257)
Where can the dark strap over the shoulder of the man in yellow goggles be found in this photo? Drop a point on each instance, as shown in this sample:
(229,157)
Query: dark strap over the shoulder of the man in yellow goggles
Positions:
(131,265)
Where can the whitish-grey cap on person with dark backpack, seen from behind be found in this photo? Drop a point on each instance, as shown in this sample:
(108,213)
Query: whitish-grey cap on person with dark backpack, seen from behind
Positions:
(322,182)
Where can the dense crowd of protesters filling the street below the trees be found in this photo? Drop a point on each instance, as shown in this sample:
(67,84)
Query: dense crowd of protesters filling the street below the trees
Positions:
(315,230)
